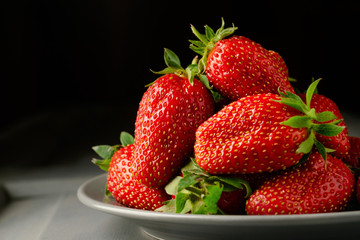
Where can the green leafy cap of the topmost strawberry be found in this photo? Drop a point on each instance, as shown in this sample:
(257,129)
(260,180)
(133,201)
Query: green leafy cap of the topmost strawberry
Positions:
(207,41)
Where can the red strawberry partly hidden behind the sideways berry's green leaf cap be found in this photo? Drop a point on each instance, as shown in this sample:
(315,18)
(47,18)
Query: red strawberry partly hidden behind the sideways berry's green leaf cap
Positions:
(340,142)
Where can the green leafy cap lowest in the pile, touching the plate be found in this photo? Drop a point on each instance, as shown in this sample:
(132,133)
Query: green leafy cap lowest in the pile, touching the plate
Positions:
(198,192)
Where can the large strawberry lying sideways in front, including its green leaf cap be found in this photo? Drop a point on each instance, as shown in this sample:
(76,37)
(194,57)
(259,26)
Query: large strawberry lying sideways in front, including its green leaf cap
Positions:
(262,133)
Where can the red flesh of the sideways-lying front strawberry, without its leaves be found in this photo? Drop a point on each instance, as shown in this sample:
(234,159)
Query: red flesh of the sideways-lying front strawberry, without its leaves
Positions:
(246,137)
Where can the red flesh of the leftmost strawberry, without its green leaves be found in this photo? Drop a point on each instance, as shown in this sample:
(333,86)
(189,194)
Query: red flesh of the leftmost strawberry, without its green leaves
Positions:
(125,189)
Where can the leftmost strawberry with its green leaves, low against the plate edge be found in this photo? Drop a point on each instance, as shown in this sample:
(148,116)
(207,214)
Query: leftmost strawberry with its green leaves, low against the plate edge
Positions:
(117,161)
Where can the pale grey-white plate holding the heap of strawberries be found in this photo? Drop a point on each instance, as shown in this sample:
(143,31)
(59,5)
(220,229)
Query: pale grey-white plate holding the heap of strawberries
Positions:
(187,226)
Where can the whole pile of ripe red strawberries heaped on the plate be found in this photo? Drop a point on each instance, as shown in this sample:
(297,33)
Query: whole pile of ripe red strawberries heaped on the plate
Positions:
(229,135)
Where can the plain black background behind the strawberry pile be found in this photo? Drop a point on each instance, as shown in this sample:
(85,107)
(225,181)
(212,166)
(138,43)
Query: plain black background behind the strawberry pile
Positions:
(75,71)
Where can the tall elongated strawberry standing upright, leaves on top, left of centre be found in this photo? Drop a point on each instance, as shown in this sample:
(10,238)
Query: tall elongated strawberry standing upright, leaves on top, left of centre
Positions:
(169,113)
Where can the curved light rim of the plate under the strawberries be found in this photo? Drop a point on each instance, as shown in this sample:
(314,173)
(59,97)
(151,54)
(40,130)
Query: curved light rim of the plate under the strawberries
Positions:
(246,220)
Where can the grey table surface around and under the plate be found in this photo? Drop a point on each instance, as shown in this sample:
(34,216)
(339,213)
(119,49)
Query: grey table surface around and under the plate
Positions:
(41,203)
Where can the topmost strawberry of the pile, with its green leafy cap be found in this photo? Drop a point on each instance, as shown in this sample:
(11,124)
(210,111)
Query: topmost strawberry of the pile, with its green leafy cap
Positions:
(238,66)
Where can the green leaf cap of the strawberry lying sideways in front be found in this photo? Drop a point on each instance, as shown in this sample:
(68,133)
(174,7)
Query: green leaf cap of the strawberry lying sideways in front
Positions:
(323,123)
